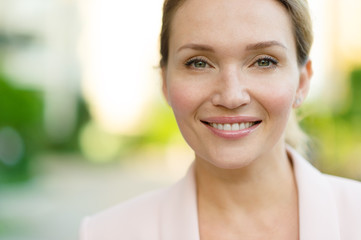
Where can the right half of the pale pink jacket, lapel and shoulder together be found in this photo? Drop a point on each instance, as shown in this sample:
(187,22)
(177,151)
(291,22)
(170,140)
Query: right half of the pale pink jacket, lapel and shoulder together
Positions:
(327,201)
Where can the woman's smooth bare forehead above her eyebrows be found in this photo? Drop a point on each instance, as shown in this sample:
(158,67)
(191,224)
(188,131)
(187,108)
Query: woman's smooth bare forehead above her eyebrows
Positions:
(231,22)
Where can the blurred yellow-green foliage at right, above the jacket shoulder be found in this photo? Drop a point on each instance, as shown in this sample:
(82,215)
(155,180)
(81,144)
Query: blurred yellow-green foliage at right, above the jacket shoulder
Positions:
(338,135)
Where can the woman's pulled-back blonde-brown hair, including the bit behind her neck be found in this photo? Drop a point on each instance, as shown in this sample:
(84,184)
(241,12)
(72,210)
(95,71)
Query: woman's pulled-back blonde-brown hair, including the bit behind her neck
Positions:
(298,10)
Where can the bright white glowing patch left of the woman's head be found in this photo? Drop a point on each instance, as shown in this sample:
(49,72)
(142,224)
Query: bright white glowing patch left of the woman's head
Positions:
(119,52)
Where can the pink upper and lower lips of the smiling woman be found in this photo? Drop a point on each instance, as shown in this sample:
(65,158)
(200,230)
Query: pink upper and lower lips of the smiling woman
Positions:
(231,134)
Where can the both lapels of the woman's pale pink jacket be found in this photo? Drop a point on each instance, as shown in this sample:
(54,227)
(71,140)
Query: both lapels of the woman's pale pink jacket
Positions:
(318,218)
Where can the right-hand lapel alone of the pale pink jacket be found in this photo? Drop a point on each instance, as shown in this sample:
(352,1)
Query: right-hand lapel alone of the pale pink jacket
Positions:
(317,204)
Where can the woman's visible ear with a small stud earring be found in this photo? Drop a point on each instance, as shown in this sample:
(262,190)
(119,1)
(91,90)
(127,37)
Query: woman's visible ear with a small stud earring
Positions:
(306,73)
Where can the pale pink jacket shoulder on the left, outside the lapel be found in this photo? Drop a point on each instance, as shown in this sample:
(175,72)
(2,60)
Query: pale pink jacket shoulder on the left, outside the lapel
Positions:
(136,216)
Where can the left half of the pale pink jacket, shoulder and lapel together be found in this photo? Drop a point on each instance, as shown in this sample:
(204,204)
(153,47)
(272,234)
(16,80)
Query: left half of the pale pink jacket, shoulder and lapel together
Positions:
(163,213)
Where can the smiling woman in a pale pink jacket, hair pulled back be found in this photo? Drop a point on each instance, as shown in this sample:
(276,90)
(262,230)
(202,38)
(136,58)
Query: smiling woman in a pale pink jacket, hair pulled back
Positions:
(233,71)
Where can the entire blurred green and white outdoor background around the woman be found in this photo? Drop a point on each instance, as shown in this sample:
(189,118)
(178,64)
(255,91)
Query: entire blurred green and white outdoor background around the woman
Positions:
(83,124)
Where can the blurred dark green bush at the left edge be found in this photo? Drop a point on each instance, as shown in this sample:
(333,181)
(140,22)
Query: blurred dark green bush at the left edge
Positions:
(21,130)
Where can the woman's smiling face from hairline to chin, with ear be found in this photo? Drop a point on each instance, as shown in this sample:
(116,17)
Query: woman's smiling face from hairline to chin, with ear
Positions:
(232,78)
